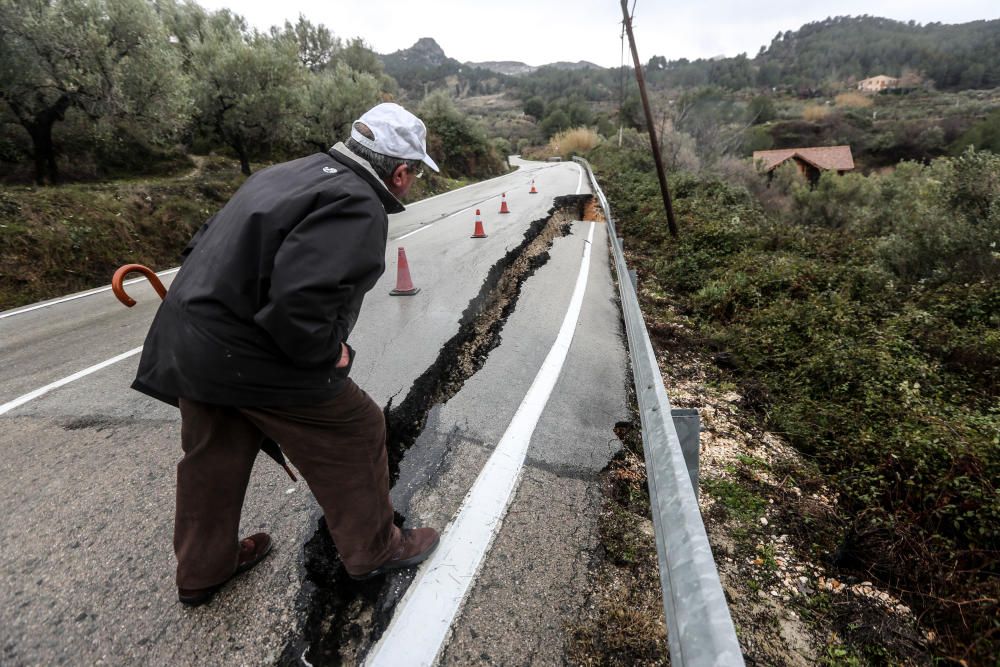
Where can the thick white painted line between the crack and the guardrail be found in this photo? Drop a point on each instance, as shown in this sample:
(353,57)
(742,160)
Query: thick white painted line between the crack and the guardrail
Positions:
(423,618)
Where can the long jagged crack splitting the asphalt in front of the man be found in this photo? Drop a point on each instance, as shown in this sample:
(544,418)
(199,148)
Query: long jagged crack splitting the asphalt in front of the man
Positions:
(343,617)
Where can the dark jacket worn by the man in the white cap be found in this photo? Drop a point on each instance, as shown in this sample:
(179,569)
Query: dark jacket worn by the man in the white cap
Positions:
(271,286)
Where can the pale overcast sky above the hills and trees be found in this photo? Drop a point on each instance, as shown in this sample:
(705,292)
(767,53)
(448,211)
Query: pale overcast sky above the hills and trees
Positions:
(543,31)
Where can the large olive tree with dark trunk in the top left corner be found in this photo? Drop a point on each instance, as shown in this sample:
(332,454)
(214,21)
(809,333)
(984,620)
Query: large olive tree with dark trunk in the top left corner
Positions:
(108,59)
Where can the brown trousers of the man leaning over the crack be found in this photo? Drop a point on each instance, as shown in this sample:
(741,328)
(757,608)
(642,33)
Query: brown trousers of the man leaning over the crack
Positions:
(339,447)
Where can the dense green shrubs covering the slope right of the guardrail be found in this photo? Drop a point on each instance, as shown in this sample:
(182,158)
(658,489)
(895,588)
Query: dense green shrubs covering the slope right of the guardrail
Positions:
(863,318)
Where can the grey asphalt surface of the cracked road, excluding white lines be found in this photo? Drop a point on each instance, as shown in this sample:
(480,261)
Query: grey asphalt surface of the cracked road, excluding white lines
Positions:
(86,478)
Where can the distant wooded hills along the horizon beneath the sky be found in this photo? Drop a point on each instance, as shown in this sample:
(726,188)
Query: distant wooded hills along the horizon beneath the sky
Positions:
(835,51)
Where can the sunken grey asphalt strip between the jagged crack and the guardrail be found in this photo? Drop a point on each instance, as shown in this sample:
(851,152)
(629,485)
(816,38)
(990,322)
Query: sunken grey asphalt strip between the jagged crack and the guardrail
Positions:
(534,580)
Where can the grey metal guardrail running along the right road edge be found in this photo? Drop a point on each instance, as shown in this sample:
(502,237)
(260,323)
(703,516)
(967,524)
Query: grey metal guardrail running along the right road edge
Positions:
(700,630)
